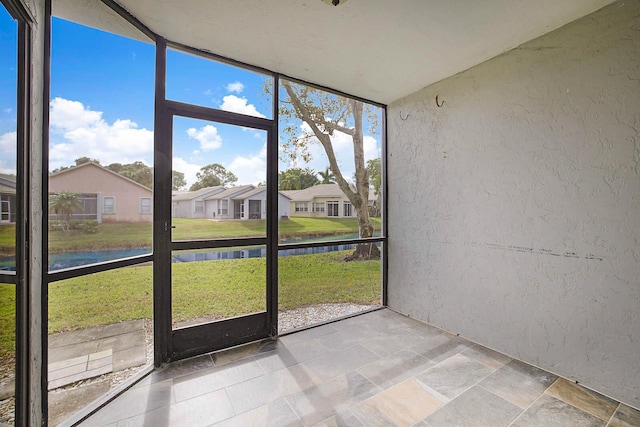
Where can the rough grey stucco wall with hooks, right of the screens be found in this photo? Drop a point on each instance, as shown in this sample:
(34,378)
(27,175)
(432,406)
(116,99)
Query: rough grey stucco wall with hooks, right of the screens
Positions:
(515,207)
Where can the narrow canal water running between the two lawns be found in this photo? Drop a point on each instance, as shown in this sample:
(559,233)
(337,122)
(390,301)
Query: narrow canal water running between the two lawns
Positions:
(58,261)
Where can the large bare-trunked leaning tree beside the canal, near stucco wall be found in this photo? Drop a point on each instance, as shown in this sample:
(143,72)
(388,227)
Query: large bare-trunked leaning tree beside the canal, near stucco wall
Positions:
(325,114)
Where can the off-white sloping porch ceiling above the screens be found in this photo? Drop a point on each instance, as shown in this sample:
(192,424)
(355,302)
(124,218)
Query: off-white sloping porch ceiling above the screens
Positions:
(380,50)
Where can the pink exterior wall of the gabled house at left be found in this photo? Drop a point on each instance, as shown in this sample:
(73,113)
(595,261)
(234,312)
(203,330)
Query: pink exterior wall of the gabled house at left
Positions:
(93,179)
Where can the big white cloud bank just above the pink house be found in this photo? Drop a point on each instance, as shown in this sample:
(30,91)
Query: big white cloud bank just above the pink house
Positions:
(77,131)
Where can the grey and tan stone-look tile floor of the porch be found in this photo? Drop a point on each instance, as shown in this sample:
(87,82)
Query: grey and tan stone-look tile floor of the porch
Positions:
(378,369)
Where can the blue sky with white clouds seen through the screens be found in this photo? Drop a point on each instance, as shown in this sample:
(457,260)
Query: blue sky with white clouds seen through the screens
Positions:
(102,101)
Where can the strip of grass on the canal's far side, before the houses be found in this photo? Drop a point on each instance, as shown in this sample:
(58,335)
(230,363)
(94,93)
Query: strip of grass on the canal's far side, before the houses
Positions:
(138,235)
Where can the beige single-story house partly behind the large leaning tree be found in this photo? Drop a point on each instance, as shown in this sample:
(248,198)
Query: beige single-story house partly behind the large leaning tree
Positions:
(323,200)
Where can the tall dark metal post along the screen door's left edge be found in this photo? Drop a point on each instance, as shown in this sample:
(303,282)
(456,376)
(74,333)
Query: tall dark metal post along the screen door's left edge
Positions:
(161,213)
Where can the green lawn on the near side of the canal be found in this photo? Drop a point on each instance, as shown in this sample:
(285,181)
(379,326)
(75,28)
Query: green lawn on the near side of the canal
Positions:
(224,288)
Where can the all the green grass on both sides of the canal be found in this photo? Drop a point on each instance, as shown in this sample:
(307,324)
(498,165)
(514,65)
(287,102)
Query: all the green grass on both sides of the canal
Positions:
(222,288)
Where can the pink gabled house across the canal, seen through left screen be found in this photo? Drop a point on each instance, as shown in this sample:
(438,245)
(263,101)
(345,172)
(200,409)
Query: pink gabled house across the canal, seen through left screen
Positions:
(105,196)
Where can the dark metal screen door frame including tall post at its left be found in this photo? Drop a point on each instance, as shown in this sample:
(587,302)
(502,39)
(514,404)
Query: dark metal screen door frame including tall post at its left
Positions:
(178,344)
